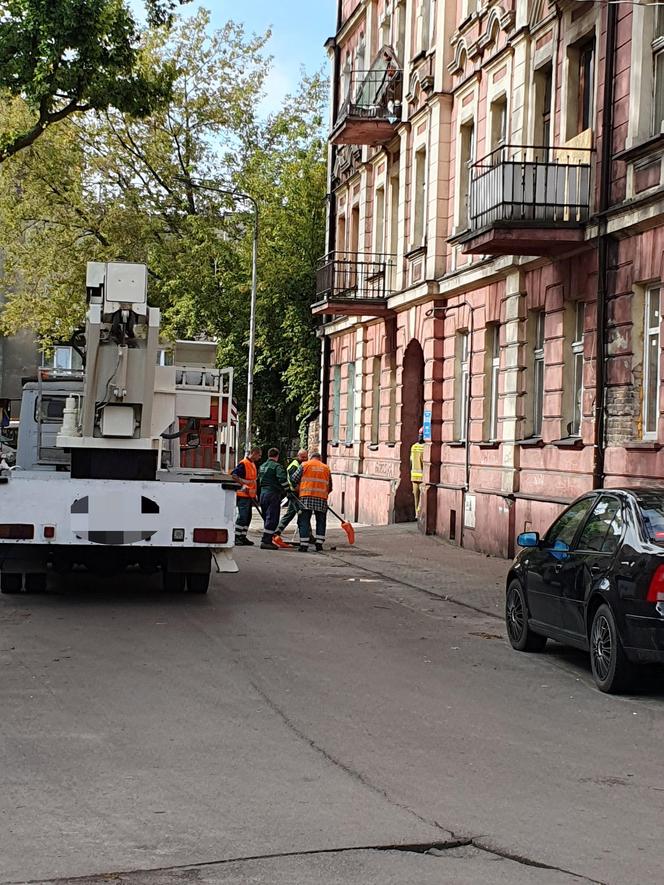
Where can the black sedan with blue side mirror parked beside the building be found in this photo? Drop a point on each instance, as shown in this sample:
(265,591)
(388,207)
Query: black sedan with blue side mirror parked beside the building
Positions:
(595,581)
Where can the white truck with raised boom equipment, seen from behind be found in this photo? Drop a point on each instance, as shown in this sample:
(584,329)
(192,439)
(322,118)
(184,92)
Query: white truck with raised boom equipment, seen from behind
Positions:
(98,481)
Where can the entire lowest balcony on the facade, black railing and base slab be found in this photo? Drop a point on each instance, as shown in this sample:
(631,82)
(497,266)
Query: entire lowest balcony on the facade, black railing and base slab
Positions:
(353,284)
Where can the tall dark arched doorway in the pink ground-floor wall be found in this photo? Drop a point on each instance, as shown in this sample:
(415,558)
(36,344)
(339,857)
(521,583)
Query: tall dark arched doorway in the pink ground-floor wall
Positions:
(412,407)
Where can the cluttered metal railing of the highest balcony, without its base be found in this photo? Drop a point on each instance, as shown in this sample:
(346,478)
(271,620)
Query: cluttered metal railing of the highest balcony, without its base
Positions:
(373,95)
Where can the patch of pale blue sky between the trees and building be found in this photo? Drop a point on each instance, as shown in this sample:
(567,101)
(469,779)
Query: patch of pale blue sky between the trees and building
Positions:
(299,30)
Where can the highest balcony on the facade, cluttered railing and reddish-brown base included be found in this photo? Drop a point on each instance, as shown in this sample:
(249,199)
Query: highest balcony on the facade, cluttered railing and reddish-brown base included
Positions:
(372,106)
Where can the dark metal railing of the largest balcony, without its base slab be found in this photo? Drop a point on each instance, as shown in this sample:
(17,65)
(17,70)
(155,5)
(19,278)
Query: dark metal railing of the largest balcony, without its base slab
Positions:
(530,185)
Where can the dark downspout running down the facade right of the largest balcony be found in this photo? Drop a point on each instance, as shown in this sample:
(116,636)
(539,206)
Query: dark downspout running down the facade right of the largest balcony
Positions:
(603,247)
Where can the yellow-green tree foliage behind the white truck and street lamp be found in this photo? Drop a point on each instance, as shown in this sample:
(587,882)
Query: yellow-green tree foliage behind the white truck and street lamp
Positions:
(110,186)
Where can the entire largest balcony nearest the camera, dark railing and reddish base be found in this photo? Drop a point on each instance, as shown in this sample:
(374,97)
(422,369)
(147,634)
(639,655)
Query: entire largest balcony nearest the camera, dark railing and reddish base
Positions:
(528,201)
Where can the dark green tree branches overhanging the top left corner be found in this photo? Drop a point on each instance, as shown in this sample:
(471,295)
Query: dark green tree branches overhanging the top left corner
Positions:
(66,57)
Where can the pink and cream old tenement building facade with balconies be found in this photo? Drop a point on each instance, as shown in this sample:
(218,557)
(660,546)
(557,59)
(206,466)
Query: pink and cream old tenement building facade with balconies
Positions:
(496,198)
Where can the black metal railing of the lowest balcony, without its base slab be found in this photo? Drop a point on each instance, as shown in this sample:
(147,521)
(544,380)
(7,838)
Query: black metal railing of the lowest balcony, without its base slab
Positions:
(354,276)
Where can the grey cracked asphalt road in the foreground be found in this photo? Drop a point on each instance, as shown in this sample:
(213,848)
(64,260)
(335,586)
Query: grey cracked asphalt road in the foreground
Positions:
(309,723)
